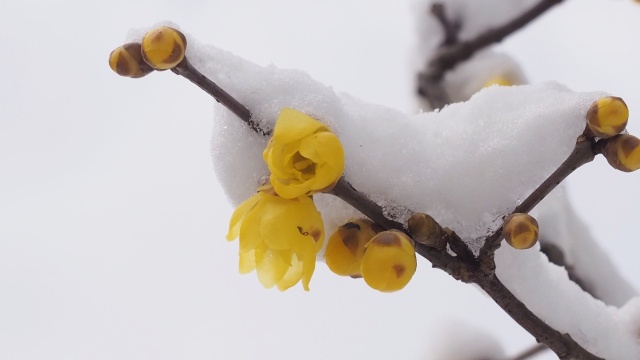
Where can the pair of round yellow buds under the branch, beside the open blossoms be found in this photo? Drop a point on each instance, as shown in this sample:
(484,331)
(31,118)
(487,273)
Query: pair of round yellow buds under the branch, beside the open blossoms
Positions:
(386,260)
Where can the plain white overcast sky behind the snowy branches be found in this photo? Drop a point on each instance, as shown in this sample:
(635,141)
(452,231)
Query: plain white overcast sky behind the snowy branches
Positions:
(111,221)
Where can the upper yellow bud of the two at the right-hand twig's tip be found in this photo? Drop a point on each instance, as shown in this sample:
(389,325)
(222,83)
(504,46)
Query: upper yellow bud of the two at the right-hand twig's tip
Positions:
(607,116)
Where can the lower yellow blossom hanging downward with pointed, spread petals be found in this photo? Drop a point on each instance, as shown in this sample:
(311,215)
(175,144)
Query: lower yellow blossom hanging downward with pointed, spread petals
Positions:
(279,238)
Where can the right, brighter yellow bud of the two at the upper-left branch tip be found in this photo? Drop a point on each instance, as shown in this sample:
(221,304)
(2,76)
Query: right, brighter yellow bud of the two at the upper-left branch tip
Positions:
(163,48)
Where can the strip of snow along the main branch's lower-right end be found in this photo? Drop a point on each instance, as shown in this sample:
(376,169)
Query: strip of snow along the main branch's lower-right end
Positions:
(547,291)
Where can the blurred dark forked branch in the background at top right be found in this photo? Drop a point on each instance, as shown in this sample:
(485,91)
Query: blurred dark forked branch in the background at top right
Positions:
(450,55)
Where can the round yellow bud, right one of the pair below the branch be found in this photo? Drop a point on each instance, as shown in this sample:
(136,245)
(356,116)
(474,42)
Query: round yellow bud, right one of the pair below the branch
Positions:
(389,261)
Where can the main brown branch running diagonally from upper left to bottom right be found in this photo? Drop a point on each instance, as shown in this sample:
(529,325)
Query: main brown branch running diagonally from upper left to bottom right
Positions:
(462,267)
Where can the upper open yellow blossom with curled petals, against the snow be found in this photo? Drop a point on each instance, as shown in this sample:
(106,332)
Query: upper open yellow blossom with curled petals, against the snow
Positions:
(303,155)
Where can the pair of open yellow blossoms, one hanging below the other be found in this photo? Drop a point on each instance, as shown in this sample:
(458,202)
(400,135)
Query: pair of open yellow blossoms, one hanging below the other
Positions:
(280,229)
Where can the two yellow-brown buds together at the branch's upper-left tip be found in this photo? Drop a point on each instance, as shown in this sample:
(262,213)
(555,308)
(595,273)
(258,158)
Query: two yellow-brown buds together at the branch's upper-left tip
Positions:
(161,49)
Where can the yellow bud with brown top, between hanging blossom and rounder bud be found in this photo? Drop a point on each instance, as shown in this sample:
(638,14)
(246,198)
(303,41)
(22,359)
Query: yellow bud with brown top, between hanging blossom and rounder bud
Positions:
(346,246)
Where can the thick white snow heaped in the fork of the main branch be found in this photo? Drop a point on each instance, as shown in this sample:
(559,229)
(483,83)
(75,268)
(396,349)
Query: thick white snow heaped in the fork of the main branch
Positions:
(467,165)
